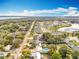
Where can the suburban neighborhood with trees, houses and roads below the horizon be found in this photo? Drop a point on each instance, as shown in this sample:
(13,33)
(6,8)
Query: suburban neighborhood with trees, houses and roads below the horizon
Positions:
(35,39)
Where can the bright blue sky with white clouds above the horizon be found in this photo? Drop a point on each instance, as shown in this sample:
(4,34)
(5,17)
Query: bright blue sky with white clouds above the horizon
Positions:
(39,7)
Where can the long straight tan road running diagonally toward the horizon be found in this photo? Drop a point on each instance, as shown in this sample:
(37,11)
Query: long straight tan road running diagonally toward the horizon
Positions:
(24,41)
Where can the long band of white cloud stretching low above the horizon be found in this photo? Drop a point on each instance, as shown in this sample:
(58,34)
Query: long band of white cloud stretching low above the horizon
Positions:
(71,11)
